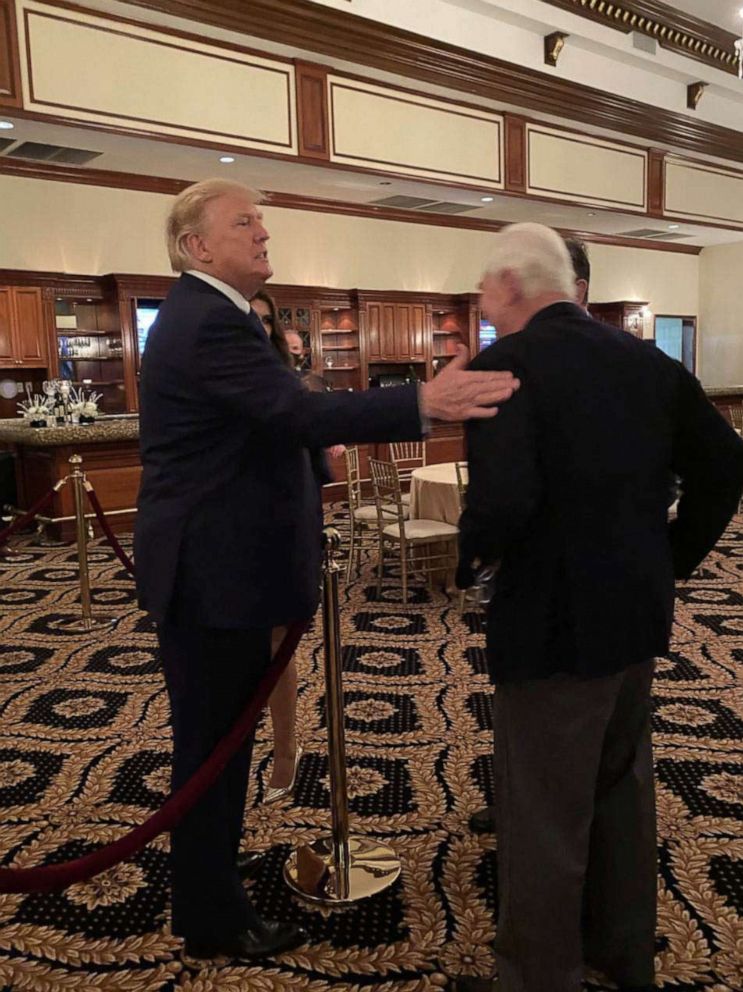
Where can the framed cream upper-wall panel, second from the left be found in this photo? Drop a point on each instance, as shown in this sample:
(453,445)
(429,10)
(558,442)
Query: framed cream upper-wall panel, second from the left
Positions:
(398,132)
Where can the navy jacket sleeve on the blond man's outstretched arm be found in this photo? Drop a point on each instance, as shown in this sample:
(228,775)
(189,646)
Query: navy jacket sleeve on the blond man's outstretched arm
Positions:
(242,374)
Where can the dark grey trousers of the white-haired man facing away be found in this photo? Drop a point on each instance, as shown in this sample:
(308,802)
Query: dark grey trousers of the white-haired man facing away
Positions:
(575,820)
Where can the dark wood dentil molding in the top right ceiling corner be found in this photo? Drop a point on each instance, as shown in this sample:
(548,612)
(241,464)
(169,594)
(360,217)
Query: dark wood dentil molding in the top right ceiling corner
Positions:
(671,28)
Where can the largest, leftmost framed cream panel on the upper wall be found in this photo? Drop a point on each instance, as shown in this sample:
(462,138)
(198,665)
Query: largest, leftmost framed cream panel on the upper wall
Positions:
(102,70)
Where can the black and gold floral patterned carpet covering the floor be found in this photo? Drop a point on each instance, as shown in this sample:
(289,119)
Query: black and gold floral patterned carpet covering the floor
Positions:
(85,750)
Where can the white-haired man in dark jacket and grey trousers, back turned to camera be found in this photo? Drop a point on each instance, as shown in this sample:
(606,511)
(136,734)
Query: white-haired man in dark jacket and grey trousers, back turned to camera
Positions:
(568,491)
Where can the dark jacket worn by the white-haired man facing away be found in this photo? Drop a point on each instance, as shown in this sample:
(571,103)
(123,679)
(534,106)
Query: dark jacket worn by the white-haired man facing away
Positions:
(568,488)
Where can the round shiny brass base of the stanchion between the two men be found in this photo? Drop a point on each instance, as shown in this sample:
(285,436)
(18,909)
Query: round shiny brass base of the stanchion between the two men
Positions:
(373,867)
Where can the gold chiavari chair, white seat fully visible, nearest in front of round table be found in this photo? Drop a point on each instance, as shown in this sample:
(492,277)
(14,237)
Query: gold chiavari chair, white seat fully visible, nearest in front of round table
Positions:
(414,542)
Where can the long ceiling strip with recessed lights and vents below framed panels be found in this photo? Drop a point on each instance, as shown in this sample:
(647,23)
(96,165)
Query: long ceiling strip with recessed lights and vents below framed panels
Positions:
(149,157)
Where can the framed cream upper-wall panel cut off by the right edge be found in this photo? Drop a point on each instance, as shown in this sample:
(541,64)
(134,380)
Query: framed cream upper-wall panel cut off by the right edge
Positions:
(703,192)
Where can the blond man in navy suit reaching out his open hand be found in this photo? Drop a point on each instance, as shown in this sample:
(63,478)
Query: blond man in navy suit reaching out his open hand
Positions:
(227,537)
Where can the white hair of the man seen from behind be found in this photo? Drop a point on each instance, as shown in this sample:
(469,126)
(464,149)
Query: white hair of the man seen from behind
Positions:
(537,256)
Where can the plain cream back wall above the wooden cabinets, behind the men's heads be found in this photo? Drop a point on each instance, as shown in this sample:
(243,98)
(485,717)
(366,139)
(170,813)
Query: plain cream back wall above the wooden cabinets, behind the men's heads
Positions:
(61,227)
